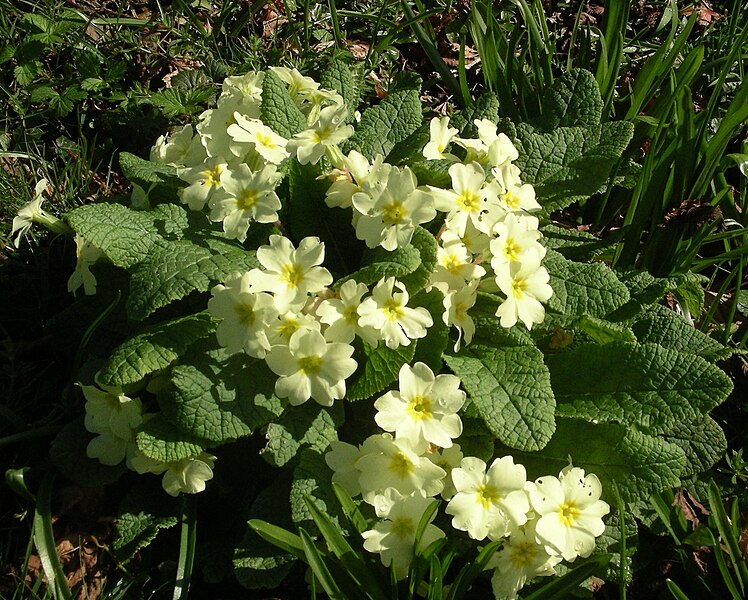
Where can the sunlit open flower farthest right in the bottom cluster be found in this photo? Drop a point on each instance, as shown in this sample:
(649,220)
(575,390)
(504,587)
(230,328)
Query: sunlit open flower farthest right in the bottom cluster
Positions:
(569,511)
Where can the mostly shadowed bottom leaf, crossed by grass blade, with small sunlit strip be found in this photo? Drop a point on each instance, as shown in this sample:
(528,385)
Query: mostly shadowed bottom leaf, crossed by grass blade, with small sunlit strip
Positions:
(258,563)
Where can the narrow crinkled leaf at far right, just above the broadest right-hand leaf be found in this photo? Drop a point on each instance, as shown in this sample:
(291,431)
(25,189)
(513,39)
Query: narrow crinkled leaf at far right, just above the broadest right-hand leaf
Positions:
(662,326)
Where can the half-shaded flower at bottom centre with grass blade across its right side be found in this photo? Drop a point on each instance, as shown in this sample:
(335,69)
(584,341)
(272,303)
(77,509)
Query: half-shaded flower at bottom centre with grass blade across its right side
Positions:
(394,537)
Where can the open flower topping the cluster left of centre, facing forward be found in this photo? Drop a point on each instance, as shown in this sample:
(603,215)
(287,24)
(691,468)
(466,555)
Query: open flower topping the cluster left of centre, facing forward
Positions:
(291,274)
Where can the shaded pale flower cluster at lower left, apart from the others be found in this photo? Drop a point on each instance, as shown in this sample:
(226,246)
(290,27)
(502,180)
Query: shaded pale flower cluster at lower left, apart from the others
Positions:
(115,417)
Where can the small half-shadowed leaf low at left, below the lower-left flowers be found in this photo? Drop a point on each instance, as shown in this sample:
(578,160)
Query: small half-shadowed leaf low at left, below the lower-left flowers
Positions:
(141,515)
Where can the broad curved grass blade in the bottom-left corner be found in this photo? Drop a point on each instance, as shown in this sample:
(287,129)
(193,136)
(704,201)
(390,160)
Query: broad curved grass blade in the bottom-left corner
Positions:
(44,540)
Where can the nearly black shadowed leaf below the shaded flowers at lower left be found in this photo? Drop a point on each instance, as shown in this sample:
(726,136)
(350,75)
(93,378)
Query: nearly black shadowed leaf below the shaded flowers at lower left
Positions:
(68,454)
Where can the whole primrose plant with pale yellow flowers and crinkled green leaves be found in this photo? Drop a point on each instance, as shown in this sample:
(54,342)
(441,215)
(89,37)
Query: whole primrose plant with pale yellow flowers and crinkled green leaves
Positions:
(385,305)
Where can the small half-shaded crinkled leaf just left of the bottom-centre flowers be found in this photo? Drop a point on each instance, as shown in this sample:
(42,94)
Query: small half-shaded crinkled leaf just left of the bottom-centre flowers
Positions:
(312,478)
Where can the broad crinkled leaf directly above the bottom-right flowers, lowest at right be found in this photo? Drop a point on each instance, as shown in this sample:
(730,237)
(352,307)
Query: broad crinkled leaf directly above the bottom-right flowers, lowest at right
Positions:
(638,464)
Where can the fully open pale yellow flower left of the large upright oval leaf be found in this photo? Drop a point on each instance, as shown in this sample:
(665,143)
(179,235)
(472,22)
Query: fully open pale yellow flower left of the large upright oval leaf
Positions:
(423,409)
